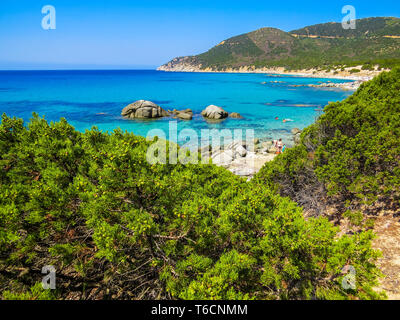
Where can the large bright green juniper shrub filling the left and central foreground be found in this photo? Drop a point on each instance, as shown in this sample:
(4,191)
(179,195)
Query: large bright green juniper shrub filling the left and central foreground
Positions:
(115,226)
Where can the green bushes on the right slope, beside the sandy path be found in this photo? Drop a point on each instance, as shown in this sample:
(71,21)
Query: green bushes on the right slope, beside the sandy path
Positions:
(352,152)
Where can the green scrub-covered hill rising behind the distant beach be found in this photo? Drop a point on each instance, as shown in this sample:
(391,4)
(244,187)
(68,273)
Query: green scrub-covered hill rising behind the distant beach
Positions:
(375,41)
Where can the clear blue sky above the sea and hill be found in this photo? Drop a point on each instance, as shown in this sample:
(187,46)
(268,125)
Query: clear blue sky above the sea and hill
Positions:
(145,34)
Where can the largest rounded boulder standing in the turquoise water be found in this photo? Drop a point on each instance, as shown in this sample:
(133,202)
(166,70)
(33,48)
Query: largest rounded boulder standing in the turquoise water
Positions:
(143,109)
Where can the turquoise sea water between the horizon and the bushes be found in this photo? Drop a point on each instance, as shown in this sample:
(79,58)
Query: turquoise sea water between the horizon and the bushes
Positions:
(96,98)
